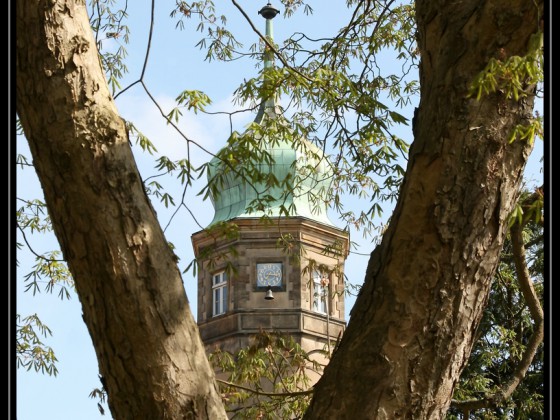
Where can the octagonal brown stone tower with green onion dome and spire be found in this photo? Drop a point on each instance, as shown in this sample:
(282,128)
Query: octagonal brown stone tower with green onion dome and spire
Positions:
(246,281)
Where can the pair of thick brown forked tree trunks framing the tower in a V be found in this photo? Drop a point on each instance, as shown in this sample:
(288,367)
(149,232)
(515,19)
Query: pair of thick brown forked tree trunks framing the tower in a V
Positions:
(412,326)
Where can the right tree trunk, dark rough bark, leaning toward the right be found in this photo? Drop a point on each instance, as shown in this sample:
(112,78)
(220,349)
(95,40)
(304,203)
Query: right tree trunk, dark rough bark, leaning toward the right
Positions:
(426,286)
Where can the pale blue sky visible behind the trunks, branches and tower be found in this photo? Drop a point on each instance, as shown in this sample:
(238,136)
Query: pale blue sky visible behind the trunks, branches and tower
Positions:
(175,64)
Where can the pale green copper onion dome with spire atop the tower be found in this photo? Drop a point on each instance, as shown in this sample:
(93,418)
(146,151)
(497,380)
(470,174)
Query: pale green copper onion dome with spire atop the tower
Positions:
(305,167)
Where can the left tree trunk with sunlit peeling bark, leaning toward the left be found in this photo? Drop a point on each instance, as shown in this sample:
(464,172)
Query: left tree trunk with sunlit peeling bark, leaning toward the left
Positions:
(134,305)
